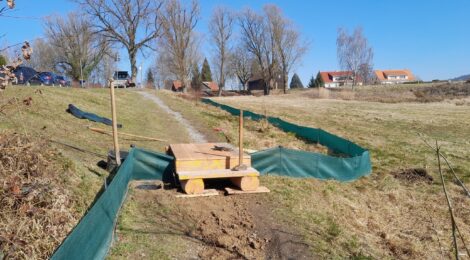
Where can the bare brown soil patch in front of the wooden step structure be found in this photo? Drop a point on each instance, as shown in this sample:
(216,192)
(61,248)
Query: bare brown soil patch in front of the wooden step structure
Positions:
(225,227)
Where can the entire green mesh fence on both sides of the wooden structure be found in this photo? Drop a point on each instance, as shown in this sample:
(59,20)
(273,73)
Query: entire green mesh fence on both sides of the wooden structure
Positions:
(92,237)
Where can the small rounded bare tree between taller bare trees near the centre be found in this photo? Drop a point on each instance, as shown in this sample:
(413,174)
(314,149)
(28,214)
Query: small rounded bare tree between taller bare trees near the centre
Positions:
(241,65)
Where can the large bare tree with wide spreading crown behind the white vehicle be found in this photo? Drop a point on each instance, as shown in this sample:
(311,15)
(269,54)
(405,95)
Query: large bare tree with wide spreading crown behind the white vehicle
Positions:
(131,23)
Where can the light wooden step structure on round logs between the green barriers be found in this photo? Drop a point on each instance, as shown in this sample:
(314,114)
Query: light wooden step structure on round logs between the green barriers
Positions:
(196,162)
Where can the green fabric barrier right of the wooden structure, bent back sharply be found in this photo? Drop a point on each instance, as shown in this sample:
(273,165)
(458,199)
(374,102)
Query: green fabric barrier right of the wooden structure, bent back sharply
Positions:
(351,160)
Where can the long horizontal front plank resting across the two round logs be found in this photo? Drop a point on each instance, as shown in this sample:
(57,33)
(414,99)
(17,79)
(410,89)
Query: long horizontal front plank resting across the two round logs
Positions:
(213,174)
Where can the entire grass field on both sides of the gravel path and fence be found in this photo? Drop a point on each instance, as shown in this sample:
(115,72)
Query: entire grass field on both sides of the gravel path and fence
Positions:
(378,216)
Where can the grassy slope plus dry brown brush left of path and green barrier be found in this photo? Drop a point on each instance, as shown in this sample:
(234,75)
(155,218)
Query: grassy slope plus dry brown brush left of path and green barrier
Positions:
(63,180)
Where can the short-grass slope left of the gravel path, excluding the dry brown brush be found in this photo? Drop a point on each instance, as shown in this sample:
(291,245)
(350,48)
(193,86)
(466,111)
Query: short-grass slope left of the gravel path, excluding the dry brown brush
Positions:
(46,118)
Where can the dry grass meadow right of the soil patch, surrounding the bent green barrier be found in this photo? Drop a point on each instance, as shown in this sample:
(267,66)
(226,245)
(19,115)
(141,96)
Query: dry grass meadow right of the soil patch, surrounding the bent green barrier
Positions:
(375,216)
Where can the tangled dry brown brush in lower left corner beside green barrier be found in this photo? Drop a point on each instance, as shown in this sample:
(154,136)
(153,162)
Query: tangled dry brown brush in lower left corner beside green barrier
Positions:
(35,207)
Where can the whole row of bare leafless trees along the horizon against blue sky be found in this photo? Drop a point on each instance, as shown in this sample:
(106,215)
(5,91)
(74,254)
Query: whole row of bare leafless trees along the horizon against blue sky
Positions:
(243,44)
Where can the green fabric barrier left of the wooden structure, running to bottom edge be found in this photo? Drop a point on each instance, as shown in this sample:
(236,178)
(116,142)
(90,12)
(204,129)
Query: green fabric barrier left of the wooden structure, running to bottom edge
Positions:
(92,237)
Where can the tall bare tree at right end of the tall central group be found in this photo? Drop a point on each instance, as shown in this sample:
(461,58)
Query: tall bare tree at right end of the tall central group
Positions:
(288,45)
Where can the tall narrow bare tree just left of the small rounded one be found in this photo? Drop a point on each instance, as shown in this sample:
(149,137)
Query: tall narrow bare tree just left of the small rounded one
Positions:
(221,30)
